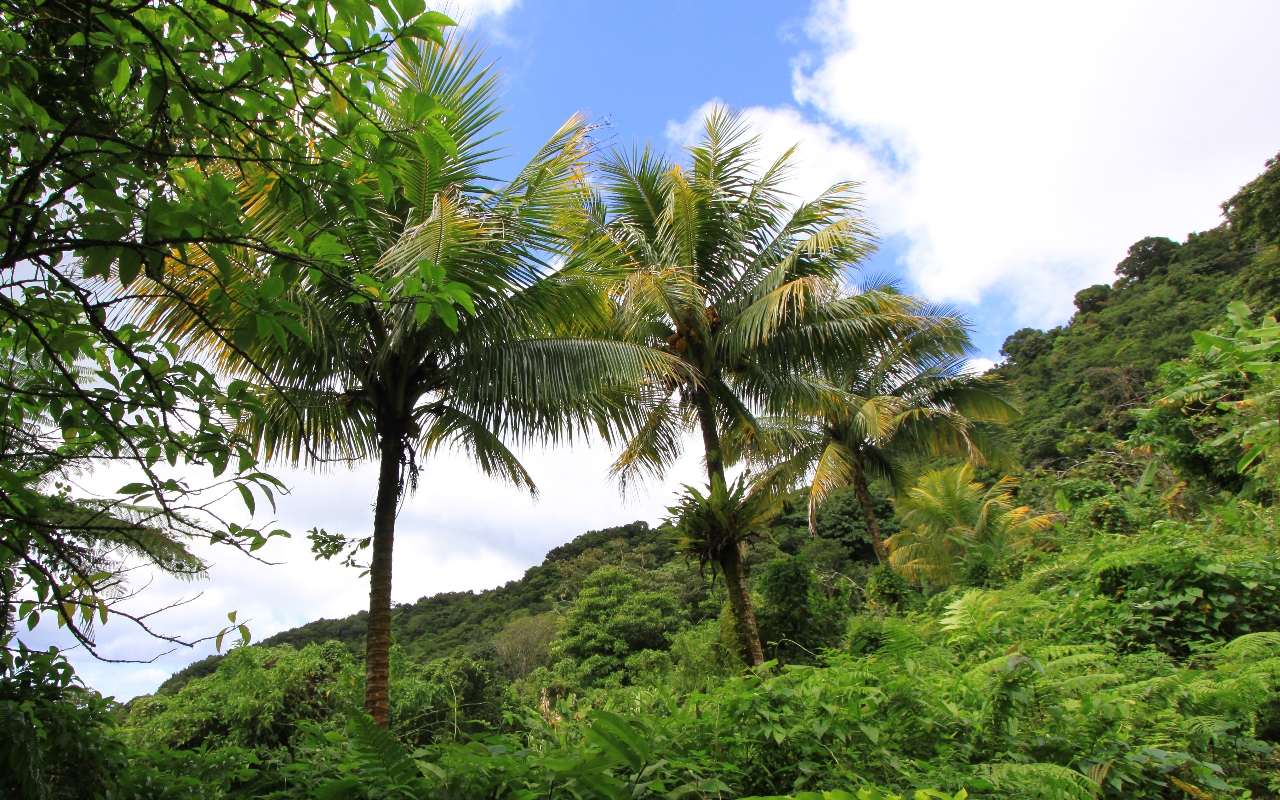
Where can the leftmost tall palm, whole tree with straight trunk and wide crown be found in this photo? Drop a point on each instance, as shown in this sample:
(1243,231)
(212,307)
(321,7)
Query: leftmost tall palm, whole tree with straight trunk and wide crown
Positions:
(392,371)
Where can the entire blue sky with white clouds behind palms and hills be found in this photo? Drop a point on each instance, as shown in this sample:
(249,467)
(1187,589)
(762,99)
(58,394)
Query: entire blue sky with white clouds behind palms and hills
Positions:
(1011,152)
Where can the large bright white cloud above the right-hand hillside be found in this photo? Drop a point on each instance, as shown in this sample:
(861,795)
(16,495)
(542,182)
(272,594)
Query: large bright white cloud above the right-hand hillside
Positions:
(1021,148)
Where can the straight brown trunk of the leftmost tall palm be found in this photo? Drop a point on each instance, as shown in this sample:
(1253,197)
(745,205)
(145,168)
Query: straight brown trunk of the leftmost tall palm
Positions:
(378,642)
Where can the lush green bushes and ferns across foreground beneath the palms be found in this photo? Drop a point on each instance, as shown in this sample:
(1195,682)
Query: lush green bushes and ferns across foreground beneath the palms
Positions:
(1100,673)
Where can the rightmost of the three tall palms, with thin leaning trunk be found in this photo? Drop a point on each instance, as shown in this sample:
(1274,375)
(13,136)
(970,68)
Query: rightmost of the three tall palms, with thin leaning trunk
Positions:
(909,397)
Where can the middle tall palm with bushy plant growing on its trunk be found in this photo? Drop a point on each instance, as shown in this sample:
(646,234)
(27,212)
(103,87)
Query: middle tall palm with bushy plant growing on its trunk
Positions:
(743,287)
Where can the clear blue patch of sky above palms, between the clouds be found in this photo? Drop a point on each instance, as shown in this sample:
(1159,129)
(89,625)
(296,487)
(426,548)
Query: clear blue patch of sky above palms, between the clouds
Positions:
(642,65)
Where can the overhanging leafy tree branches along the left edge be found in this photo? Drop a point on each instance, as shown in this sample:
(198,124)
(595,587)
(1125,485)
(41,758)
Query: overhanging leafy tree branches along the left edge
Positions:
(125,130)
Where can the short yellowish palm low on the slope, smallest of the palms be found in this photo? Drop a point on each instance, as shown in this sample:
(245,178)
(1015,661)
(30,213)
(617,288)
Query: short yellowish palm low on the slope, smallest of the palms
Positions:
(949,516)
